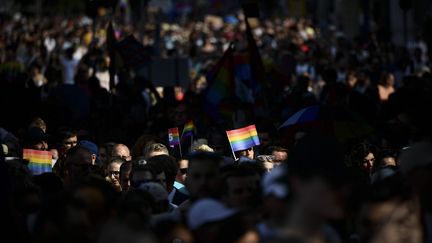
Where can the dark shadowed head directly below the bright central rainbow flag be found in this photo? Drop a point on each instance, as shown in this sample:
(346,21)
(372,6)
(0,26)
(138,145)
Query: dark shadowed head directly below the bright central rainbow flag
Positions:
(241,186)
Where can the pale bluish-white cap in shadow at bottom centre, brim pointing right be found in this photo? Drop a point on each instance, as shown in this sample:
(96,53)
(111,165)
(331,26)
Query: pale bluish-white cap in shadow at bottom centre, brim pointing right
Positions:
(207,210)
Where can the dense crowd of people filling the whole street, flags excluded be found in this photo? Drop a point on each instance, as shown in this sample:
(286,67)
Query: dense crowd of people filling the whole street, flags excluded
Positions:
(358,171)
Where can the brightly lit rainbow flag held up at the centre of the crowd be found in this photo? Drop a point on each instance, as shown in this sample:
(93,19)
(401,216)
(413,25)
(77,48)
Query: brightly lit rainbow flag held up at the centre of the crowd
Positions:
(243,138)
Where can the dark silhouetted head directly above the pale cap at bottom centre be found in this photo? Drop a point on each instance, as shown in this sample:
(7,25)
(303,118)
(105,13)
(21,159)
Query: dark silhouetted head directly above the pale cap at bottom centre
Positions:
(203,178)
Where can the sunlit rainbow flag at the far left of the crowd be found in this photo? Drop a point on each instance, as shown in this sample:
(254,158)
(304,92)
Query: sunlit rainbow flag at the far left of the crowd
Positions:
(39,161)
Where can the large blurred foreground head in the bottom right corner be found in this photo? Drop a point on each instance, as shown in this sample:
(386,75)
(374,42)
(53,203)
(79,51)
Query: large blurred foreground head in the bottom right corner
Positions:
(389,212)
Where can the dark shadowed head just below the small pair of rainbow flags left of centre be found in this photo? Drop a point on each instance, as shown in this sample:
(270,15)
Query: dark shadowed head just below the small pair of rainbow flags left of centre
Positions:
(166,165)
